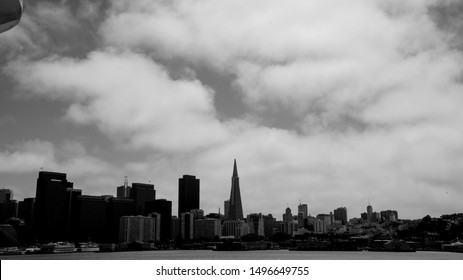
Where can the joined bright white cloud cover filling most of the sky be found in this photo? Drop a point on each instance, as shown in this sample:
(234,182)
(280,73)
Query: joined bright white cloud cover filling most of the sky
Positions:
(374,85)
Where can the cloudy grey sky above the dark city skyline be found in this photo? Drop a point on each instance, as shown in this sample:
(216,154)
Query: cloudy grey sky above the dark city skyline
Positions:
(330,103)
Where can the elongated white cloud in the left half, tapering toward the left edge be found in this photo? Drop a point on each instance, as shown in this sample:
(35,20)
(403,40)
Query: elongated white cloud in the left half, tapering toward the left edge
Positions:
(129,97)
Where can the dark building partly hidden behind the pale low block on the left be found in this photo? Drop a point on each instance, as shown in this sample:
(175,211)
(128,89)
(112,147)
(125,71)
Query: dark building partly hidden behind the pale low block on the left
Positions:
(117,208)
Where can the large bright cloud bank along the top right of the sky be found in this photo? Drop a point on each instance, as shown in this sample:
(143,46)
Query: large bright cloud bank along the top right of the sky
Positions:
(349,55)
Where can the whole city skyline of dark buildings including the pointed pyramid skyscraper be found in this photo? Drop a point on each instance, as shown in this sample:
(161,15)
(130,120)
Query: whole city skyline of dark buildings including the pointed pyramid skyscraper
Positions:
(59,212)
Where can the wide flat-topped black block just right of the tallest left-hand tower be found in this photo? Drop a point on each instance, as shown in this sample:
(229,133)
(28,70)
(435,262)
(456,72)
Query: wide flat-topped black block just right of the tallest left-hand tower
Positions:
(92,218)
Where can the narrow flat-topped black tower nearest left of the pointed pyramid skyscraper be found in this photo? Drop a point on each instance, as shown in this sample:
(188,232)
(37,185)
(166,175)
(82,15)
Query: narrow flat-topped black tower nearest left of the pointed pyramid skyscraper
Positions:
(188,194)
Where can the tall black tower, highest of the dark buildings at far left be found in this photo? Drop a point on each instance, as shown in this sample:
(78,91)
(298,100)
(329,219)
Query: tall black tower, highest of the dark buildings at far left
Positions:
(52,209)
